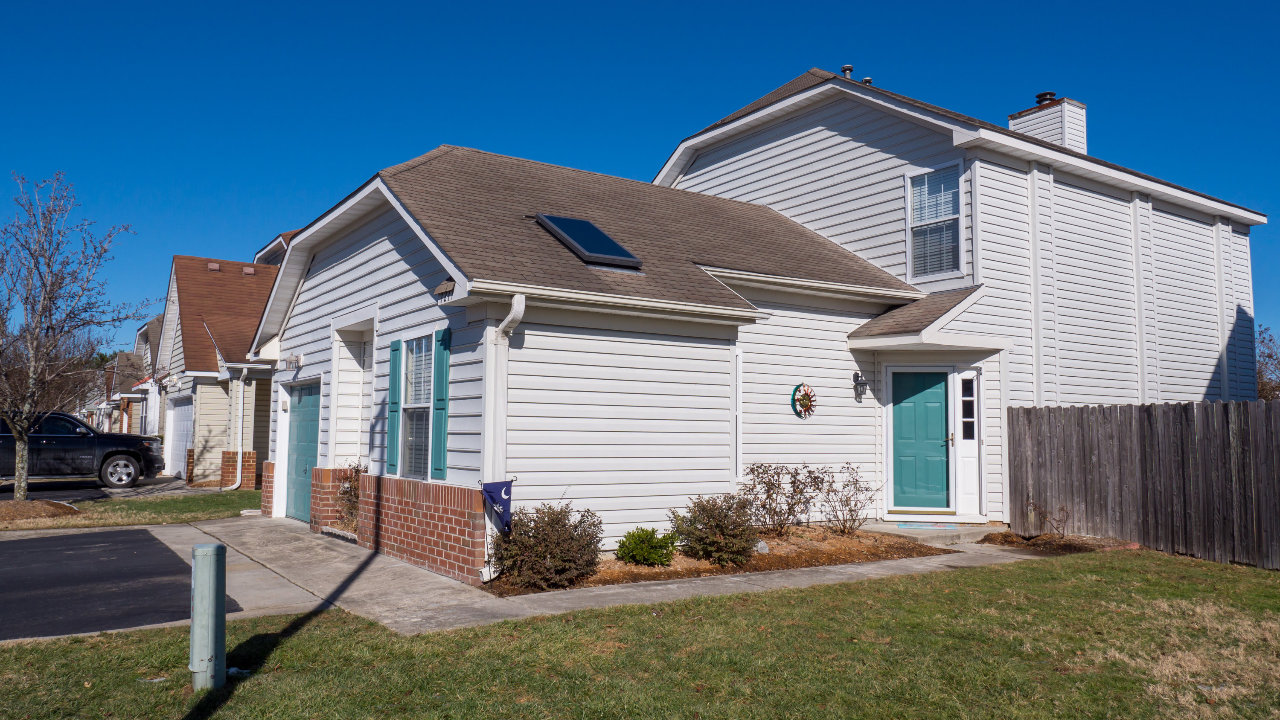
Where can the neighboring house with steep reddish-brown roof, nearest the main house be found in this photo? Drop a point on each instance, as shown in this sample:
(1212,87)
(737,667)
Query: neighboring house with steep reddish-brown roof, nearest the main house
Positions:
(214,400)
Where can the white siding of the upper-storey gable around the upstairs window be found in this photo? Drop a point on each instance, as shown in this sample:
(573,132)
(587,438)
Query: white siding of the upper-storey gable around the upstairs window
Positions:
(838,170)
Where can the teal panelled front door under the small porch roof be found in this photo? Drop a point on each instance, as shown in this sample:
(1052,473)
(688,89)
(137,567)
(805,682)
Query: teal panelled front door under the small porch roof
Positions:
(921,441)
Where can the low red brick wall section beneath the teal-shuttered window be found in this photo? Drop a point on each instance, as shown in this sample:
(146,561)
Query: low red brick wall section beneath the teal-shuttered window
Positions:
(428,525)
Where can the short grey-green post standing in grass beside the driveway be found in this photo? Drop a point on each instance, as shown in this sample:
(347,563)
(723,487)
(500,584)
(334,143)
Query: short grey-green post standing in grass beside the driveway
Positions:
(208,617)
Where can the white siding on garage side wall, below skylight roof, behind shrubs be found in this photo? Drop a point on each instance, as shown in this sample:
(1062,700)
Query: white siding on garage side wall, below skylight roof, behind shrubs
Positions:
(624,422)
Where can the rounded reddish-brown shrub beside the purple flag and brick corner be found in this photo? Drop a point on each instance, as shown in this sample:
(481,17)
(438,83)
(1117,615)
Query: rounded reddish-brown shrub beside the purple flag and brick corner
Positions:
(551,546)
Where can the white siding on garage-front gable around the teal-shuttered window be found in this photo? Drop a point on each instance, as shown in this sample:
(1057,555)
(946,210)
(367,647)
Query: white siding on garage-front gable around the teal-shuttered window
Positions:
(382,263)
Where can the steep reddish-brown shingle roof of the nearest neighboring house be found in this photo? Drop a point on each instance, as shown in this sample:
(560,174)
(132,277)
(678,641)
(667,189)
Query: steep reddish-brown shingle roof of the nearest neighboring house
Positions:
(220,307)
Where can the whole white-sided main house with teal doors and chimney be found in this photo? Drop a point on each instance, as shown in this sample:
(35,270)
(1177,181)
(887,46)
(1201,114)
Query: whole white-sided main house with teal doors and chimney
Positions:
(918,270)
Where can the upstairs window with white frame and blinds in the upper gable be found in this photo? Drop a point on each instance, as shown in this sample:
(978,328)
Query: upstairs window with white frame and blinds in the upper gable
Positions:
(936,222)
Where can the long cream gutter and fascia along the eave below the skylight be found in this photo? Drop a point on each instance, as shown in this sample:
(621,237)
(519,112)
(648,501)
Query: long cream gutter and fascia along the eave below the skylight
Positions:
(597,302)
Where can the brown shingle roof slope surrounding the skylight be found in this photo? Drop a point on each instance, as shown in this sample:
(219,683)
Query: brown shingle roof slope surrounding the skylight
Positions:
(481,209)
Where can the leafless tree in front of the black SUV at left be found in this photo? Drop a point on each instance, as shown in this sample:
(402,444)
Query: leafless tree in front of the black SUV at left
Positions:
(53,309)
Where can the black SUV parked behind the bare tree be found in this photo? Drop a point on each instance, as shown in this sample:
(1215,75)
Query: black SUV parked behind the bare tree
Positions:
(65,448)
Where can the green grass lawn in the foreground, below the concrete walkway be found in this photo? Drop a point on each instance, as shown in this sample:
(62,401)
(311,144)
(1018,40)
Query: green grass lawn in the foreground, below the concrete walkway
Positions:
(1116,635)
